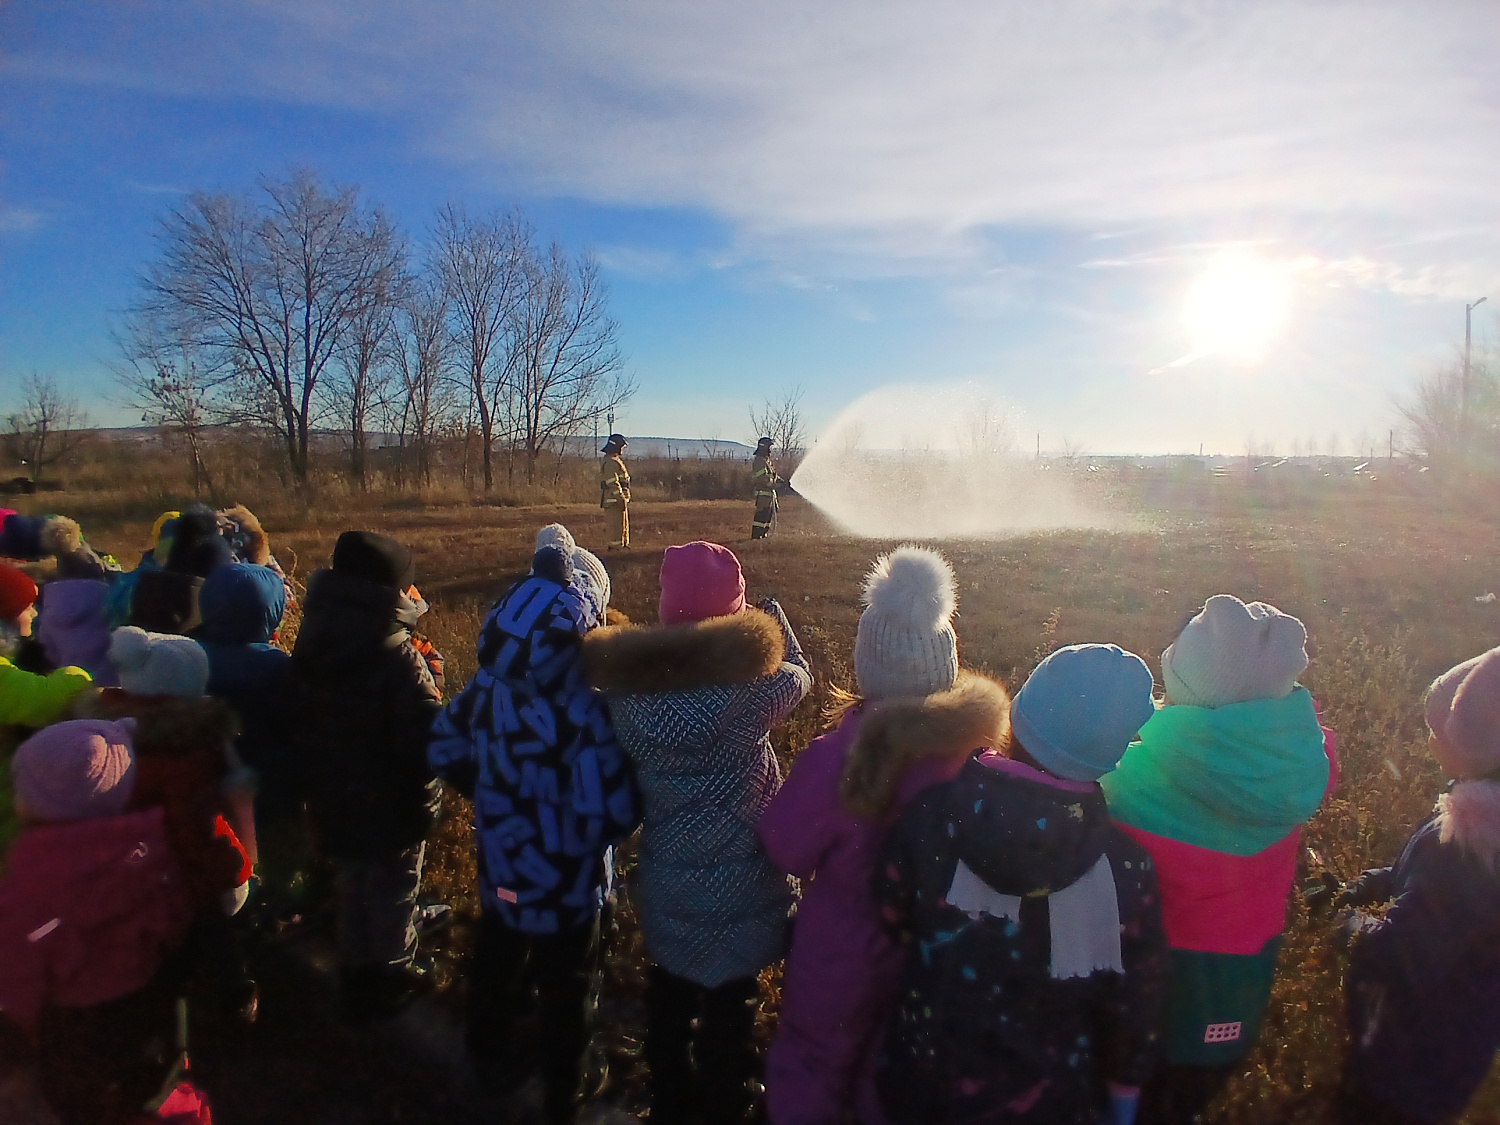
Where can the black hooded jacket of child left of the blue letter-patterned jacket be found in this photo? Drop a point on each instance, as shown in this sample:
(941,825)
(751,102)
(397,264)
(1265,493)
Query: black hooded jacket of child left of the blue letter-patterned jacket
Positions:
(364,703)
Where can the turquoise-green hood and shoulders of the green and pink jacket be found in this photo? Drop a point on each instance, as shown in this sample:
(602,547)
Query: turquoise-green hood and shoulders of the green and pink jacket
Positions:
(1234,779)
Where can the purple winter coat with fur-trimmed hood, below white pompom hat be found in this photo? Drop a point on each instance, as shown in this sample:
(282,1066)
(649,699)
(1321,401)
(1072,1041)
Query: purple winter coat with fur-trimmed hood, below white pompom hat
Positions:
(844,968)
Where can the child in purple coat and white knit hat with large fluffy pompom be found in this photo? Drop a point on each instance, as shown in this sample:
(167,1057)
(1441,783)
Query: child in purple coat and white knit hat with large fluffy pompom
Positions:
(917,721)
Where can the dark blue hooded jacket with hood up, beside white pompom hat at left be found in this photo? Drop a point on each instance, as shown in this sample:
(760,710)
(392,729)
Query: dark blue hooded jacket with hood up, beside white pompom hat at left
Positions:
(242,608)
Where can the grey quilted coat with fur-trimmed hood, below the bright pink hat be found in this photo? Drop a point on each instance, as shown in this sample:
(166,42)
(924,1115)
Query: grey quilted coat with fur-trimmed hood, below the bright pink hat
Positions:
(694,707)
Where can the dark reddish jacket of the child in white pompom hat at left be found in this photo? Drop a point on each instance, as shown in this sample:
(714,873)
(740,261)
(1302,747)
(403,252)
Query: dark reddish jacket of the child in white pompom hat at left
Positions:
(185,766)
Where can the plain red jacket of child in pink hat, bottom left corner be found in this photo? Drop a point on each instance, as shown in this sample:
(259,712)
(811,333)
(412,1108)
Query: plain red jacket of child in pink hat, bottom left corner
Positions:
(89,911)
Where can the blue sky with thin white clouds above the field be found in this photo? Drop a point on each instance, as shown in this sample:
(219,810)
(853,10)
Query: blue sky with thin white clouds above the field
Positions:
(839,197)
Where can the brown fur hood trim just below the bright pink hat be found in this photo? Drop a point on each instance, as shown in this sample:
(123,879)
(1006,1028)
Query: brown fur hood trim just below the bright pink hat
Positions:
(712,653)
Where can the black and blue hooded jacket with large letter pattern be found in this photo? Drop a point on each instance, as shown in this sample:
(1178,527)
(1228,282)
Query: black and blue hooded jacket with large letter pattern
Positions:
(533,745)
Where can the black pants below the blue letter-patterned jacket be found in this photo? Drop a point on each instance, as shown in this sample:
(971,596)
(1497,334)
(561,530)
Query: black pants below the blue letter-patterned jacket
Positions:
(554,977)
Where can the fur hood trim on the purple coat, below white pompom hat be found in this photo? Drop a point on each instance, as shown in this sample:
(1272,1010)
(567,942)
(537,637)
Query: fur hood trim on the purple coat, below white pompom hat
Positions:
(896,734)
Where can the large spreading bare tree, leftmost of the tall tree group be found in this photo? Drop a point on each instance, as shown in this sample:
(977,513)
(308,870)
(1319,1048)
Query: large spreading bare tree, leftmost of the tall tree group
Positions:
(269,289)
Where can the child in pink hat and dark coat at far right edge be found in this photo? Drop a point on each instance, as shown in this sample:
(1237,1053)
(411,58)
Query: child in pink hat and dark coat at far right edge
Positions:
(1424,982)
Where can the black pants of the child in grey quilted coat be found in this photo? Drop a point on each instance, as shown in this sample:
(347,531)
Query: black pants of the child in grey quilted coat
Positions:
(704,1075)
